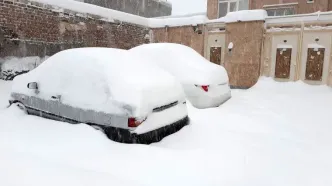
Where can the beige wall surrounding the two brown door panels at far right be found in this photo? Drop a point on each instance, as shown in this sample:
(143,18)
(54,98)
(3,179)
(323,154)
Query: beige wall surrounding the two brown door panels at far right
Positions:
(299,41)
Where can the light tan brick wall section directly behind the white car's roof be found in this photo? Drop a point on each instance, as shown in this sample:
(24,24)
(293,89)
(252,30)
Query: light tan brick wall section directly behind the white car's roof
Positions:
(183,35)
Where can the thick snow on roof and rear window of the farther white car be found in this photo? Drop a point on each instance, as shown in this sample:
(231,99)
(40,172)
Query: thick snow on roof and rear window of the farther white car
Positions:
(183,62)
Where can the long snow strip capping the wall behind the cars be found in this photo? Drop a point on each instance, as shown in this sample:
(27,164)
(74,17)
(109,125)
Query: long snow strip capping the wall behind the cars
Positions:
(112,15)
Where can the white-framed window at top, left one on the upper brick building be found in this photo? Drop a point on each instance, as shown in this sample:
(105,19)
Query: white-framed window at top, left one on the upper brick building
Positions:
(226,6)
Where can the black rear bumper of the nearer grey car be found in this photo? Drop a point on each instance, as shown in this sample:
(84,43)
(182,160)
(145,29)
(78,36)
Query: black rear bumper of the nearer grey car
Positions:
(125,136)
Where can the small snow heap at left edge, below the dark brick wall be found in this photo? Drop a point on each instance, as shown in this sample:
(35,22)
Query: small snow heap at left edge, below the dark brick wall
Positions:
(13,66)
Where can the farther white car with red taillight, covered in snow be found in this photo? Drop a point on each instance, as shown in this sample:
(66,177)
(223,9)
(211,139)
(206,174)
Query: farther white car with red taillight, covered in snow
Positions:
(205,83)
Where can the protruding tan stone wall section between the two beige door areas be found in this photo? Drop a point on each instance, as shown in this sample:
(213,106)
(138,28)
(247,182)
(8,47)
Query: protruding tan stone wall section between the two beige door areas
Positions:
(243,63)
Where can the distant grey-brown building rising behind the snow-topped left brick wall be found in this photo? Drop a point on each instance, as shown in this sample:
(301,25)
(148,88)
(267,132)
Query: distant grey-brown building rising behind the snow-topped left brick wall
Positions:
(144,8)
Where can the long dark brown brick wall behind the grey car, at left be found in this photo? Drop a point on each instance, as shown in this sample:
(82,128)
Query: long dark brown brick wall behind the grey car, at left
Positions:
(36,30)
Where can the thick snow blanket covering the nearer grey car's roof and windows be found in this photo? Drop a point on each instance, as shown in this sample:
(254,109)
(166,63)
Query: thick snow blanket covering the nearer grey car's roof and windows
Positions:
(98,78)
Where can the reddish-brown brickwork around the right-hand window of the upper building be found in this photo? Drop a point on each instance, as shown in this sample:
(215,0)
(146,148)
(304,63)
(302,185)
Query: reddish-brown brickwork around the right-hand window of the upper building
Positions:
(302,8)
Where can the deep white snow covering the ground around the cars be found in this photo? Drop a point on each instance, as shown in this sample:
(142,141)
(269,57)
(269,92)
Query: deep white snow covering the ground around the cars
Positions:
(273,134)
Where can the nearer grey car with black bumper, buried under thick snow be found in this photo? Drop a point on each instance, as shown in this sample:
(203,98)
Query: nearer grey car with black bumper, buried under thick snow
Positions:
(102,87)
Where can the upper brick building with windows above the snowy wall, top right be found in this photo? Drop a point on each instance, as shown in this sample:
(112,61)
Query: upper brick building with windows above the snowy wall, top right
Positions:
(219,8)
